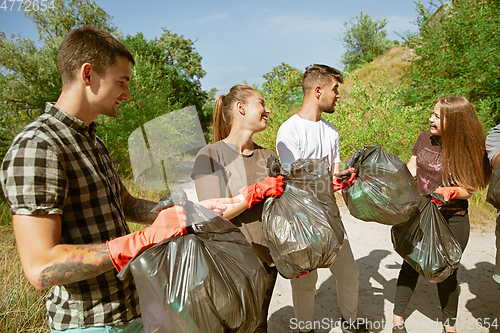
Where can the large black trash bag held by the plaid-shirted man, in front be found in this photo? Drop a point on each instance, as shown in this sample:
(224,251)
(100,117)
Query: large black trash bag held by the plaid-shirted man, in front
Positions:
(208,281)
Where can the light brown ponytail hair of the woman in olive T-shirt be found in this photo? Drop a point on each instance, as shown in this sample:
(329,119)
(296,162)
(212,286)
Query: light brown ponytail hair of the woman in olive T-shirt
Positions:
(223,110)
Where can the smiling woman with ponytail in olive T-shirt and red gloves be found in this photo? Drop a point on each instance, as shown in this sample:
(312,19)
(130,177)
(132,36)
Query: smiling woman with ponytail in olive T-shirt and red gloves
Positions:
(234,166)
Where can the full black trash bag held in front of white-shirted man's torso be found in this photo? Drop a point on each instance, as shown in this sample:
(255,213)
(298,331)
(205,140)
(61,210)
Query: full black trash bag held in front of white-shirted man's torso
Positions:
(303,228)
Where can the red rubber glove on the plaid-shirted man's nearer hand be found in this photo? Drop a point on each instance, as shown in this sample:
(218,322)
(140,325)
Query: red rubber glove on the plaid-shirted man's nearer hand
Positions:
(170,222)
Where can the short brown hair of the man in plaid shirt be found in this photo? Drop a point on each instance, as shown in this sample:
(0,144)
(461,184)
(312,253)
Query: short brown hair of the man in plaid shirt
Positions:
(89,45)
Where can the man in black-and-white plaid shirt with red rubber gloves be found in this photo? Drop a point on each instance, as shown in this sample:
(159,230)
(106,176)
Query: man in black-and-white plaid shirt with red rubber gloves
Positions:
(69,206)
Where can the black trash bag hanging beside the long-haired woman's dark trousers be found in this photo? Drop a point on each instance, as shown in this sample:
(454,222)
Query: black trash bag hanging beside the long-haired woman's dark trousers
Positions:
(427,243)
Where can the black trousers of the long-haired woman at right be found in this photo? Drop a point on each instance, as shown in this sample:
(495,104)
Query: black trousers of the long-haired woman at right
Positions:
(448,290)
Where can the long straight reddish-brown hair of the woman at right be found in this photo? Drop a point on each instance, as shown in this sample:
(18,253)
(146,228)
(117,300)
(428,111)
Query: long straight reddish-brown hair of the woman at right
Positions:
(465,162)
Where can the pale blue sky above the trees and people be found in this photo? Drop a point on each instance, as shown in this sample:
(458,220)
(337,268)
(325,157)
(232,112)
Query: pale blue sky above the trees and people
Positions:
(244,39)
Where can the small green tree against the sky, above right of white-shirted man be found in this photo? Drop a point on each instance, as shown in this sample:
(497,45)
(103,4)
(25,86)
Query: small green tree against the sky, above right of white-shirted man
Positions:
(364,39)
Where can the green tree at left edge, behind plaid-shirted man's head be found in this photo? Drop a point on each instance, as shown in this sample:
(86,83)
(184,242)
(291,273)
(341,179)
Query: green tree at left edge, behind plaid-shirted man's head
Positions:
(29,76)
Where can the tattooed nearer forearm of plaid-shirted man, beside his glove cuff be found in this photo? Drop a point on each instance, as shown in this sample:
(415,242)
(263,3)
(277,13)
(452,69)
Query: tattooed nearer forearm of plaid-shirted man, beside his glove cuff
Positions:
(81,263)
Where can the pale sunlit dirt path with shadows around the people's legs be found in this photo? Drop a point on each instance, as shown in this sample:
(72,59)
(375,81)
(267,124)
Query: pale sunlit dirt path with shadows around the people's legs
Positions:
(379,267)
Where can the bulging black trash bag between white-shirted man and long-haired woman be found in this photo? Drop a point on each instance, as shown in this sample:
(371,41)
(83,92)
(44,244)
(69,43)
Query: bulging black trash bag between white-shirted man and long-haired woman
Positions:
(384,189)
